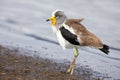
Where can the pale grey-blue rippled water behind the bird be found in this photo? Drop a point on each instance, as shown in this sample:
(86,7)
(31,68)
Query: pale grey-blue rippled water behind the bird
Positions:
(22,24)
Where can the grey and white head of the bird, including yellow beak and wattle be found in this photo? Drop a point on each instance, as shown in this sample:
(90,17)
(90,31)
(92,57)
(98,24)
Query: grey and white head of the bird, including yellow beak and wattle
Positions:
(57,18)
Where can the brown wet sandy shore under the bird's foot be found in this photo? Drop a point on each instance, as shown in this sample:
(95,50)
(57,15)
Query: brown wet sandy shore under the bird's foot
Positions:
(14,66)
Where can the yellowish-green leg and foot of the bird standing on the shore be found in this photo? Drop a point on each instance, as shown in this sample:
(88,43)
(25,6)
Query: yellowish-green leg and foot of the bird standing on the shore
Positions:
(71,68)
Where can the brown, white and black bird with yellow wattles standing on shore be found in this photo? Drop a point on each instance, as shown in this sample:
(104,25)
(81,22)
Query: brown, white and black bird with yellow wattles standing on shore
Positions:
(71,34)
